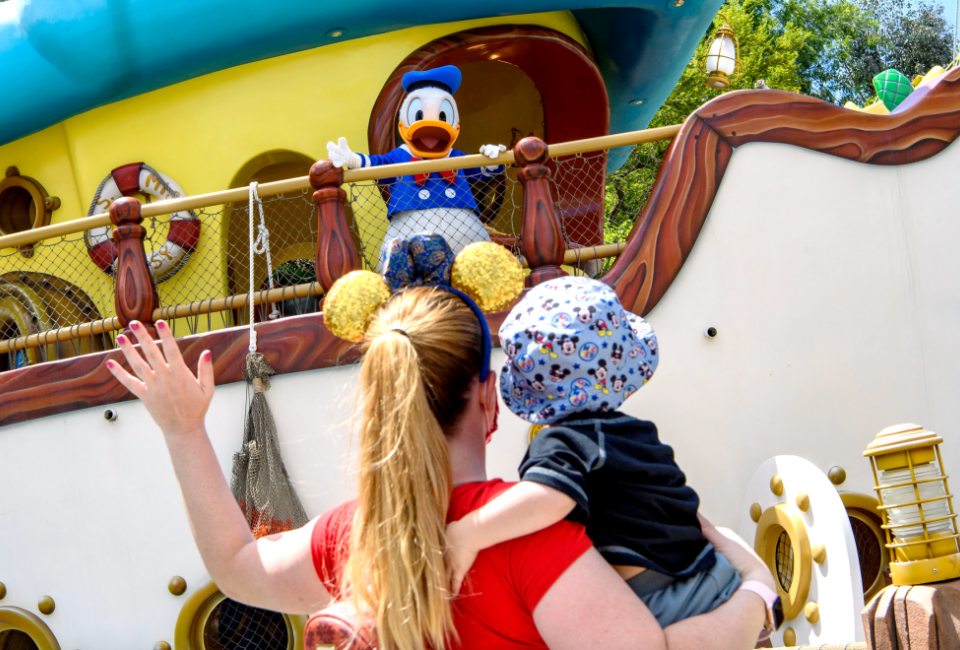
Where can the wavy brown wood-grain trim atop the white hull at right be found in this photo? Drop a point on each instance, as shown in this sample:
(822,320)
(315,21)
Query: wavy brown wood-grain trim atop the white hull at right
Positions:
(697,159)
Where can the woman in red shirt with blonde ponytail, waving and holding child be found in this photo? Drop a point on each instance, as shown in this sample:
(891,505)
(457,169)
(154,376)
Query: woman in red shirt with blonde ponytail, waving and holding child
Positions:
(428,405)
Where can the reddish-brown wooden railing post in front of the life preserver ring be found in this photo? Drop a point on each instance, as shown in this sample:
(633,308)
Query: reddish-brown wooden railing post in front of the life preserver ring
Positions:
(135,294)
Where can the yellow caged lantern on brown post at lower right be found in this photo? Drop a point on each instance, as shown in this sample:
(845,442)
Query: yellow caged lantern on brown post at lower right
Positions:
(916,504)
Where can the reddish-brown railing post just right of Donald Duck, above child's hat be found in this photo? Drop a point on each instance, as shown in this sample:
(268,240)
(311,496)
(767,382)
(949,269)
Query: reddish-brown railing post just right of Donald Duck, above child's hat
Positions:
(541,239)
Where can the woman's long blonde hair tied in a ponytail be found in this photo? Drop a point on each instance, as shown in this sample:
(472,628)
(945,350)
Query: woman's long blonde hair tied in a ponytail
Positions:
(421,353)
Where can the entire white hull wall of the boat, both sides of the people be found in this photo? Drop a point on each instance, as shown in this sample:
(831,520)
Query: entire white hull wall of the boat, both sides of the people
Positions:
(833,287)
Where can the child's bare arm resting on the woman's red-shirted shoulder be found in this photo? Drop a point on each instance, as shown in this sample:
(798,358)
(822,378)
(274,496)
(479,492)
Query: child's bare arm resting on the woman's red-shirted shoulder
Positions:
(523,509)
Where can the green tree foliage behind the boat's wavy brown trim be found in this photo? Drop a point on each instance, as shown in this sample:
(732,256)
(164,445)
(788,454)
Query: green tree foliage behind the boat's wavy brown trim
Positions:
(829,49)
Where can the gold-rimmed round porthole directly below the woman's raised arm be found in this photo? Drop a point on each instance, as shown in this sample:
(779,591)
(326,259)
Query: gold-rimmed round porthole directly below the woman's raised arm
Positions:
(211,621)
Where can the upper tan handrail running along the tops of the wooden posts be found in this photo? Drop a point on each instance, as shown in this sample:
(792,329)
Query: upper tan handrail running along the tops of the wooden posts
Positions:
(159,208)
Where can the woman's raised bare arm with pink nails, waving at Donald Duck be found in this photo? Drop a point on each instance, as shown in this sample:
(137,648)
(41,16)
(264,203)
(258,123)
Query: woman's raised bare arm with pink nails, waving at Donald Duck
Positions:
(274,572)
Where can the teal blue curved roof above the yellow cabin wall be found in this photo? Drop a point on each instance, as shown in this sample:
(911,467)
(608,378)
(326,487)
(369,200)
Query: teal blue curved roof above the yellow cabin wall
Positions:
(59,58)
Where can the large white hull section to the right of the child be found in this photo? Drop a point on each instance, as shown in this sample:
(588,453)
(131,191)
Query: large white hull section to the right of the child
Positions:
(835,289)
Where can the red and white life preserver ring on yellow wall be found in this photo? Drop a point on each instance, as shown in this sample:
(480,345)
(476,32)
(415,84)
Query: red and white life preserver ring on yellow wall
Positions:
(184,232)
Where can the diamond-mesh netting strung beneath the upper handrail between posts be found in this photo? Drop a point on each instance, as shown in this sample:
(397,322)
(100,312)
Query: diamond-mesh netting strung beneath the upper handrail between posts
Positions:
(65,283)
